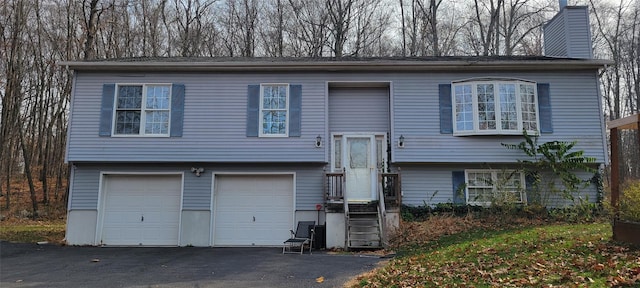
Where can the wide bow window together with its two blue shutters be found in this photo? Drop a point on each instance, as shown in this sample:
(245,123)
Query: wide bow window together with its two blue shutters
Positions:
(494,107)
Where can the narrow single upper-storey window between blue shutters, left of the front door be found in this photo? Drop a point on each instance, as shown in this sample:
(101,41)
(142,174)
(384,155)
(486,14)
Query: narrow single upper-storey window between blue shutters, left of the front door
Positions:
(274,108)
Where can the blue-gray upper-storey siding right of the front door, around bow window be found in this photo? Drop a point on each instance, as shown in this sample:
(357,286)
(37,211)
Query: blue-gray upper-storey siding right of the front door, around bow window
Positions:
(575,111)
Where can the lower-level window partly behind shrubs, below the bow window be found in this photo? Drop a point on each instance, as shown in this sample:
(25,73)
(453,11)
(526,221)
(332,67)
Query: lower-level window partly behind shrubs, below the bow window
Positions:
(487,186)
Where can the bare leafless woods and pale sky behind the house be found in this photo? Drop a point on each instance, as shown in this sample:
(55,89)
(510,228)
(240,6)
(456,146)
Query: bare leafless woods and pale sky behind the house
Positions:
(36,35)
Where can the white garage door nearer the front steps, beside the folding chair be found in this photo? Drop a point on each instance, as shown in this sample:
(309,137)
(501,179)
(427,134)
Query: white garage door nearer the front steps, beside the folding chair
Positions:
(253,210)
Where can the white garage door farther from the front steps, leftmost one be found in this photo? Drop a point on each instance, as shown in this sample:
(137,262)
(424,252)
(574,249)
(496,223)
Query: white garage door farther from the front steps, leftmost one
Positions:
(141,210)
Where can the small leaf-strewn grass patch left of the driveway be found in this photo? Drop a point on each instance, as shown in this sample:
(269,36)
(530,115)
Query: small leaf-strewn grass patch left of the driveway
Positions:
(33,231)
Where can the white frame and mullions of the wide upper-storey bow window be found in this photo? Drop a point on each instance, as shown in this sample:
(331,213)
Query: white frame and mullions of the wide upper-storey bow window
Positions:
(497,109)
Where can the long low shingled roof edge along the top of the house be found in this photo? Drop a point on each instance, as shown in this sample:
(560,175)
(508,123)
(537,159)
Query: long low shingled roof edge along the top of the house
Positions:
(336,63)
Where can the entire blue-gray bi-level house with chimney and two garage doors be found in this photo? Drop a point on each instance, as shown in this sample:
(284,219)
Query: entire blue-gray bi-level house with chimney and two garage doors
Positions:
(234,152)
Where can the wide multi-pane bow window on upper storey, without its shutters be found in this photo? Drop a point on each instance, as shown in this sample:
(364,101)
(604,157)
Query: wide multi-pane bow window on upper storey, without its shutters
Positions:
(494,107)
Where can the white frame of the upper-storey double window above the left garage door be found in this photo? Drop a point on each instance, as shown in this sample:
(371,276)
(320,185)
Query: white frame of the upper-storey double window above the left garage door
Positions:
(143,109)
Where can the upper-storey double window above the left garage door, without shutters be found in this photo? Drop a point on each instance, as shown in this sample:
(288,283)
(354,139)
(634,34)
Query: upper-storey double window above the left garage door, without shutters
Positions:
(142,110)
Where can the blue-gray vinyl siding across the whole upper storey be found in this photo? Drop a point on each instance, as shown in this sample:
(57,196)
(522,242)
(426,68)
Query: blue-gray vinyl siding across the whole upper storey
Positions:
(216,105)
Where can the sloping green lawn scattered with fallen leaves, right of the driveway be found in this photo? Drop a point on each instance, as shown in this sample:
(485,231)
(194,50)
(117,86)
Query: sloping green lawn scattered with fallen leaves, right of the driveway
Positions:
(565,255)
